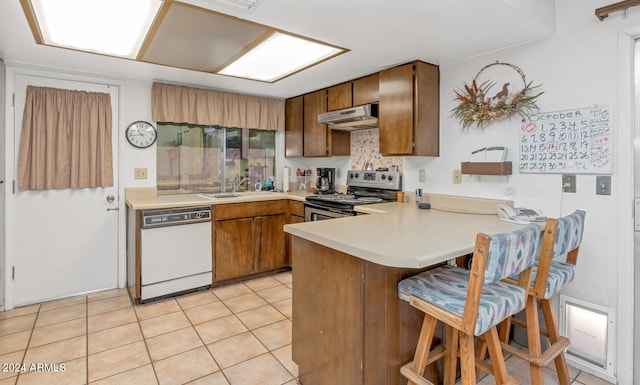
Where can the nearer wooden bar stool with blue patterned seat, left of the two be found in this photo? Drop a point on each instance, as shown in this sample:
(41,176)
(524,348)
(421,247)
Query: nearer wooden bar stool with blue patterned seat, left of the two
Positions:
(471,303)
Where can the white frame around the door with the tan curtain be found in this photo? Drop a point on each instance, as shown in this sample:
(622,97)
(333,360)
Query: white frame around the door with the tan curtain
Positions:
(9,171)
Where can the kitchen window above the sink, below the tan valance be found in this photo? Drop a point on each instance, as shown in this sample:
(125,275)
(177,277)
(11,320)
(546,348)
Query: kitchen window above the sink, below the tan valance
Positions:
(194,158)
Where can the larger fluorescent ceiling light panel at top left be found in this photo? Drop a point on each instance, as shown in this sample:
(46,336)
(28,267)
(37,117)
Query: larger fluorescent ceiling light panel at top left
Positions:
(113,27)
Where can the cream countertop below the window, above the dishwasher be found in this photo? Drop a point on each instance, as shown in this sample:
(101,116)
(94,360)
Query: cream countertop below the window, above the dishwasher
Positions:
(144,199)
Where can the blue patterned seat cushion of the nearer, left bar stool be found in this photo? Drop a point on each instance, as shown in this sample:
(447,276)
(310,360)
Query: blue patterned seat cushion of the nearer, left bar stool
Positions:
(447,287)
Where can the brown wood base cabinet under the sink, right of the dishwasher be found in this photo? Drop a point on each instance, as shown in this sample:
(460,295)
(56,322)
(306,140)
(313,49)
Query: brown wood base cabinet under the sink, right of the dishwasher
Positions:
(249,238)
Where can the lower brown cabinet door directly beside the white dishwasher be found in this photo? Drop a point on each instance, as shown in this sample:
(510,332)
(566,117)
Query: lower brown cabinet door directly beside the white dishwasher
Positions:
(234,248)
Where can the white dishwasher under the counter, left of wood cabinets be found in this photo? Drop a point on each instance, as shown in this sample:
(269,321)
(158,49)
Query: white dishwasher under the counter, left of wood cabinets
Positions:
(175,251)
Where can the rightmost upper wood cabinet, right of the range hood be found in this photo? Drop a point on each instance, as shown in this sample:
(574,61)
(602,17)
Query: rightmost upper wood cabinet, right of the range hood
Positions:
(409,110)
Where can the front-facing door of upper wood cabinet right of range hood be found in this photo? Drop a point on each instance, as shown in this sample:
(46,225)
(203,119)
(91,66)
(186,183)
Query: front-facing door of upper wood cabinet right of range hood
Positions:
(396,118)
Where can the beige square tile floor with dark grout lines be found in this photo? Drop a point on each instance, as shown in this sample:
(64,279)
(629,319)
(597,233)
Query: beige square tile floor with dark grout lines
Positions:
(232,335)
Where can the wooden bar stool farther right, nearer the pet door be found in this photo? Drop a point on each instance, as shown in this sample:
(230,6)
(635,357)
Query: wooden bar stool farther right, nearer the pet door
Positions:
(551,272)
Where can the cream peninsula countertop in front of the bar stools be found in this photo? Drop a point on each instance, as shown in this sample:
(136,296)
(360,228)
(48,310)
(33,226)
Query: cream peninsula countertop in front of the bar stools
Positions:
(401,235)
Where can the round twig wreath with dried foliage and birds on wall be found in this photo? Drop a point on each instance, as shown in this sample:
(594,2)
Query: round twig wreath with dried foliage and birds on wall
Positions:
(479,103)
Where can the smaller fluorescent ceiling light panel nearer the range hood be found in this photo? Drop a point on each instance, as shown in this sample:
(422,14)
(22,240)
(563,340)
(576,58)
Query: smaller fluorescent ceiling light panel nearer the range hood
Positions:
(278,56)
